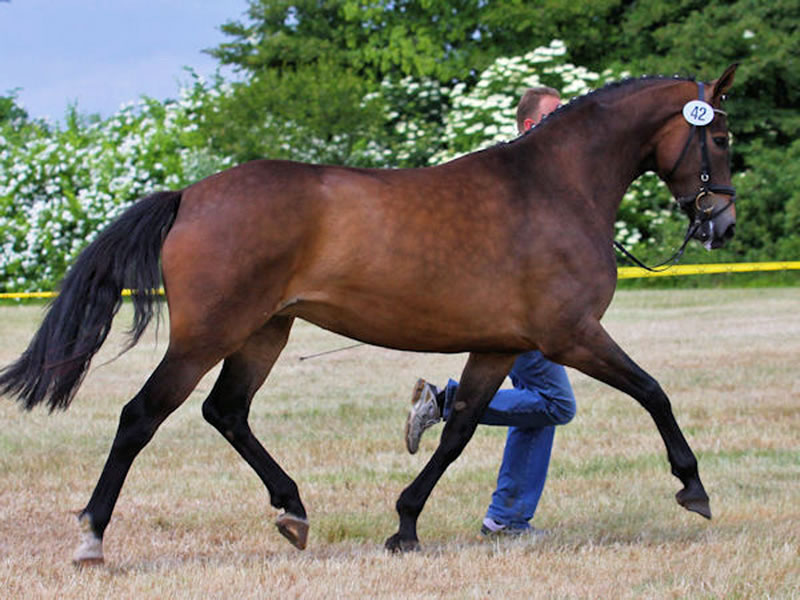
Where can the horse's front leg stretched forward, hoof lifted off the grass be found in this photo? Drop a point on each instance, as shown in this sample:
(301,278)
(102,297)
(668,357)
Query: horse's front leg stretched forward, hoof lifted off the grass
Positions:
(597,355)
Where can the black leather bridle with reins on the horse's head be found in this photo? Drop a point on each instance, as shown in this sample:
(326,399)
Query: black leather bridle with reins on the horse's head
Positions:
(702,212)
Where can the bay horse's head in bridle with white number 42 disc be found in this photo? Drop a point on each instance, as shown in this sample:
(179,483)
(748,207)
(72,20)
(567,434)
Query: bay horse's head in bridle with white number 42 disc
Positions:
(692,158)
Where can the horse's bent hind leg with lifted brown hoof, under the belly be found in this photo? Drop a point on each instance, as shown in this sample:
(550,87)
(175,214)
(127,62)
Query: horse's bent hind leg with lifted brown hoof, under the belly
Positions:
(227,408)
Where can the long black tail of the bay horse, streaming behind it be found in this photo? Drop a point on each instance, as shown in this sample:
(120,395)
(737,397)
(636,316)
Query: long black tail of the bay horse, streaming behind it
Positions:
(124,255)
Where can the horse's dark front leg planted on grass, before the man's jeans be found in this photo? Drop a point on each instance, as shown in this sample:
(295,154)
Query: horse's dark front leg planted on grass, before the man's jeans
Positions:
(481,378)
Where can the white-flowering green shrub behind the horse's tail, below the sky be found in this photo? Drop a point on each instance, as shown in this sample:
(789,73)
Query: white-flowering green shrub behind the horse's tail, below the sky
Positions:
(60,185)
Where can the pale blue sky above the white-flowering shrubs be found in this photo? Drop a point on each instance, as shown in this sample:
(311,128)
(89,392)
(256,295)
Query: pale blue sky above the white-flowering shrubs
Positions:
(102,54)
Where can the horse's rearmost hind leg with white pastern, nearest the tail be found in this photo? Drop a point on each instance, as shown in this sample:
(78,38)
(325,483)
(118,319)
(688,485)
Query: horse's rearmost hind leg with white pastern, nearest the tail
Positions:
(165,390)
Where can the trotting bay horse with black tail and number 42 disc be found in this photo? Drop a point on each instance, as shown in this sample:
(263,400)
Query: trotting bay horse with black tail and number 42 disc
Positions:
(498,252)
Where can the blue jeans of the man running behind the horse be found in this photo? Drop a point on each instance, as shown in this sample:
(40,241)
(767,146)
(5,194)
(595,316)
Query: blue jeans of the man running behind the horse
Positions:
(542,398)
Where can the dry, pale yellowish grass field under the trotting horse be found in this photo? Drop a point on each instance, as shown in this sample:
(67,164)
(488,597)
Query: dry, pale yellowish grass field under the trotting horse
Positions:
(194,522)
